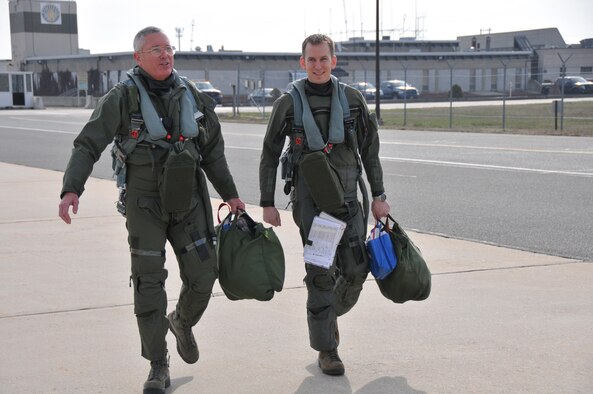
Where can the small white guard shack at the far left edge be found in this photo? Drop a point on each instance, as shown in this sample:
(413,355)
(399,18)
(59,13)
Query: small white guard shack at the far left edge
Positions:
(16,89)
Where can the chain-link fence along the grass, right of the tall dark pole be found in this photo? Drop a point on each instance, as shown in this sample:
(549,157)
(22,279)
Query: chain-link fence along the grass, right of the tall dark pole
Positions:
(493,100)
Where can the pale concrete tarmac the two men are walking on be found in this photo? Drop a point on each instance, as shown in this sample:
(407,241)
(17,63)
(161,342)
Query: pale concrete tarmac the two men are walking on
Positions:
(497,320)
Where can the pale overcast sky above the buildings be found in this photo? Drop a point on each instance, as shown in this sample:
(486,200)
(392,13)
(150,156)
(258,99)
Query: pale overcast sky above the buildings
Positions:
(106,26)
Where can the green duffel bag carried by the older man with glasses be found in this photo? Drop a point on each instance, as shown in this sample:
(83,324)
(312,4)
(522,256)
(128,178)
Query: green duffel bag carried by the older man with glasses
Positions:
(250,258)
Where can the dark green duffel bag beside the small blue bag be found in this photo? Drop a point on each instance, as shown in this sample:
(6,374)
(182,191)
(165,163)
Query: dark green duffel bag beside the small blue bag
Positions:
(411,278)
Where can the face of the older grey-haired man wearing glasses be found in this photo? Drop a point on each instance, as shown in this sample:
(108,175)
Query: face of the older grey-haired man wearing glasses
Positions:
(160,66)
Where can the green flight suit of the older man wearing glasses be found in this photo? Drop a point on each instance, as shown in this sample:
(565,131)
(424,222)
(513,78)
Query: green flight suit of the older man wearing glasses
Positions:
(190,233)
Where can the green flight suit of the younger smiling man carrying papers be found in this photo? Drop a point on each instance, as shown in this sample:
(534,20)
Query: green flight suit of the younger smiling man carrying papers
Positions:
(332,292)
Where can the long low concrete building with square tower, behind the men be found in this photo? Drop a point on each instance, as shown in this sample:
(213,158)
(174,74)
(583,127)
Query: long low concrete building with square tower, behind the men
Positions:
(45,42)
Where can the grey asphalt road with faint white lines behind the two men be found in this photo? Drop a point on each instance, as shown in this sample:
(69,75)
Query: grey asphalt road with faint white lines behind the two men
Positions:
(527,192)
